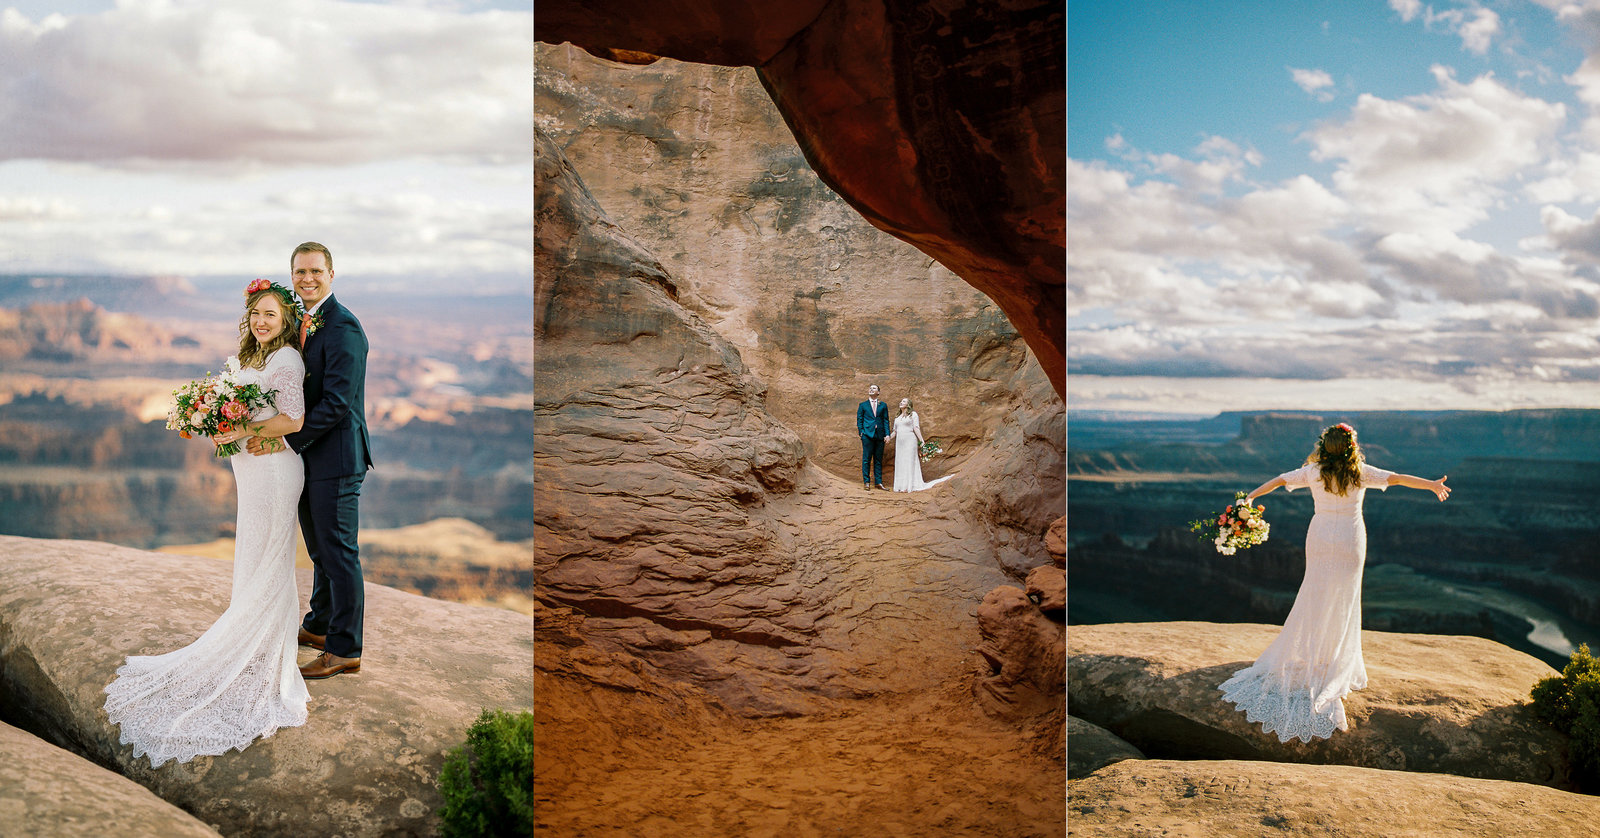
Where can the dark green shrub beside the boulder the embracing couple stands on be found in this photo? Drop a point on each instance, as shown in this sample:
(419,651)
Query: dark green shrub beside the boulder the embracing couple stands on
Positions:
(489,781)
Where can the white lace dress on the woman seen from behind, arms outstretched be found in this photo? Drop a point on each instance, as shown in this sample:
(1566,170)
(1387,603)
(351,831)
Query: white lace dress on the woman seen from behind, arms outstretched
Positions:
(1297,688)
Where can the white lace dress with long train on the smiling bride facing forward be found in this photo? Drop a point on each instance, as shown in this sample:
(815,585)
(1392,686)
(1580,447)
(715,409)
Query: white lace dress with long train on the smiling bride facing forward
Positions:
(241,679)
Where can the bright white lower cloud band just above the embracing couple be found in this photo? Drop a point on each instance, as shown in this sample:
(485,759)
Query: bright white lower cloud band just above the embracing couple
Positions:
(428,225)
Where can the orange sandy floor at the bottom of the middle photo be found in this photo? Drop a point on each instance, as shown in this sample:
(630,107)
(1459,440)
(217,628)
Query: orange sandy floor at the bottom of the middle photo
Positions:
(911,765)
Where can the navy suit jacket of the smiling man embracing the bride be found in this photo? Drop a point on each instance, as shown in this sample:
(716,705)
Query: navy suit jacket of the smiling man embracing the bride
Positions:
(334,439)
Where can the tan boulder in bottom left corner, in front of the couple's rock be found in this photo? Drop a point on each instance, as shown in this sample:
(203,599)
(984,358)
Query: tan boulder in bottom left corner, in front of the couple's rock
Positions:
(60,794)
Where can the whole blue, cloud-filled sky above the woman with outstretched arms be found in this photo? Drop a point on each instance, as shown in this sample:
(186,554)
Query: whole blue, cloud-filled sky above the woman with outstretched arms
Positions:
(1334,206)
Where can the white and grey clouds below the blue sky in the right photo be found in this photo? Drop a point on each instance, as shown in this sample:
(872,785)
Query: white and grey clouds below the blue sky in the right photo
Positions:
(1450,236)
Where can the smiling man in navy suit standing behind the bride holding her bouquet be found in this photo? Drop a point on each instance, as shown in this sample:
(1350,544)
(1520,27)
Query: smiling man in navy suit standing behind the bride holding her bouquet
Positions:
(335,450)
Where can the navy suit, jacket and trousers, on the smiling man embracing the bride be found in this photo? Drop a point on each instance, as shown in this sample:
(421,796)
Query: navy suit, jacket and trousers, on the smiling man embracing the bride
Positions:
(337,453)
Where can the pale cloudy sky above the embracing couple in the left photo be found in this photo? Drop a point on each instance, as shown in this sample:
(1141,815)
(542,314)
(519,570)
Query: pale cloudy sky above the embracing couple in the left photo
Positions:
(210,137)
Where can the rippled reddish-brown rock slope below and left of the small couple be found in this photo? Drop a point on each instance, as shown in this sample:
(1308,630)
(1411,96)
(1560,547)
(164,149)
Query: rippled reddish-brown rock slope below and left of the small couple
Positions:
(682,519)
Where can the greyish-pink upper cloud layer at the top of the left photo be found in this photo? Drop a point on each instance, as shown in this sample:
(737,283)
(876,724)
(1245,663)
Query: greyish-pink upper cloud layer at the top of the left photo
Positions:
(294,82)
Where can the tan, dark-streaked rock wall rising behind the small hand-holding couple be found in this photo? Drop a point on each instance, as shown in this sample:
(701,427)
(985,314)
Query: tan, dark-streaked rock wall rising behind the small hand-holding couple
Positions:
(695,164)
